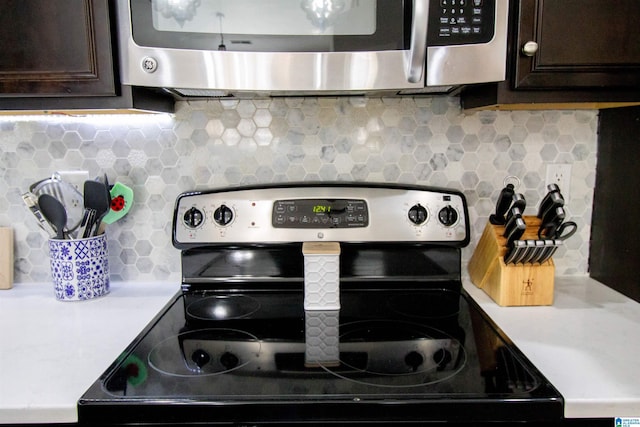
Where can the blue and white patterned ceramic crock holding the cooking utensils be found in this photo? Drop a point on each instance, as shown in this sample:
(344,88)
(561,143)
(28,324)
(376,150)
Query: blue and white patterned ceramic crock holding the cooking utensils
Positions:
(79,268)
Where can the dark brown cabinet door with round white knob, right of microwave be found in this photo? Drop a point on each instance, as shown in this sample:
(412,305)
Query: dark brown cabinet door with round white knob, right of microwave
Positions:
(580,43)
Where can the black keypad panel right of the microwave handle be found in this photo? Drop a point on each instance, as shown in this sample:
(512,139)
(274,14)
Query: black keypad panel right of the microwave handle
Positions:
(459,22)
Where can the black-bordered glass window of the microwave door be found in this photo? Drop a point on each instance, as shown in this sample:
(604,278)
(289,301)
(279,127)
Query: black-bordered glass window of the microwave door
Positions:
(272,26)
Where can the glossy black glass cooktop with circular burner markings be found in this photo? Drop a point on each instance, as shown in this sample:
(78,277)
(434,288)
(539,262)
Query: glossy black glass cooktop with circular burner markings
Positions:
(255,356)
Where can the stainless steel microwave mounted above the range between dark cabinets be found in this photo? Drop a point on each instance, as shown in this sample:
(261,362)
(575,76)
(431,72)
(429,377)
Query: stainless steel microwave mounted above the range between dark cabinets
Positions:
(215,47)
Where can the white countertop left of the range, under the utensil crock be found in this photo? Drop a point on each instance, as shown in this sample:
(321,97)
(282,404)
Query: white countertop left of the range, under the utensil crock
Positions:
(52,351)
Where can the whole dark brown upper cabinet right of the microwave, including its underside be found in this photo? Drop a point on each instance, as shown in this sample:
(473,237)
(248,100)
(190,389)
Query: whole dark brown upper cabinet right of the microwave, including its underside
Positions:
(567,54)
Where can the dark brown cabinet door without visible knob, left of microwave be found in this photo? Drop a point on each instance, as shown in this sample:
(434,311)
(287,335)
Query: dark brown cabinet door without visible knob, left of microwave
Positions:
(55,48)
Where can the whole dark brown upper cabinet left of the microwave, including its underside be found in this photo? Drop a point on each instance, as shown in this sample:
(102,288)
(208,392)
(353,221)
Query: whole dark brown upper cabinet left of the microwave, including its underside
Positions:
(59,55)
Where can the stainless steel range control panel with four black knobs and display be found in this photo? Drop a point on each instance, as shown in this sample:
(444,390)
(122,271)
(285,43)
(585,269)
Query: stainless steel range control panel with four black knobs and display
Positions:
(302,213)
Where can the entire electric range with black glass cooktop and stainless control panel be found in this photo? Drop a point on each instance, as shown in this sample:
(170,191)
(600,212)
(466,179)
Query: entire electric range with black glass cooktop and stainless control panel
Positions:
(397,340)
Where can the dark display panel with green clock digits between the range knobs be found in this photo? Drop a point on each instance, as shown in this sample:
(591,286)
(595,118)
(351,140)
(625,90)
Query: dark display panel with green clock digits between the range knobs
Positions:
(320,213)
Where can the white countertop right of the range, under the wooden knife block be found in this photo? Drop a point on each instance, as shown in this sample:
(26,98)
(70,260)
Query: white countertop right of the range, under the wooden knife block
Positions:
(587,344)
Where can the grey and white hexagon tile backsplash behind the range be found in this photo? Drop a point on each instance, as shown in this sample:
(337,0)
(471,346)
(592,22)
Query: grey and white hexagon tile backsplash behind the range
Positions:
(217,143)
